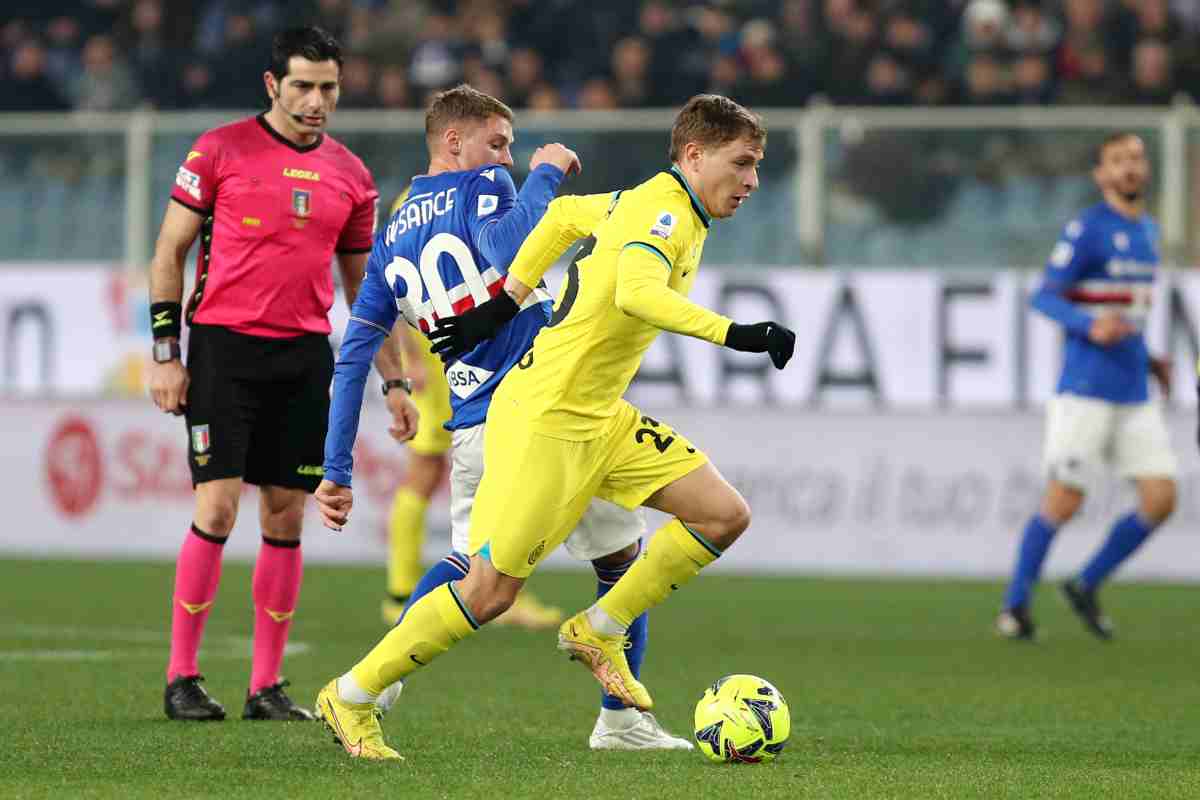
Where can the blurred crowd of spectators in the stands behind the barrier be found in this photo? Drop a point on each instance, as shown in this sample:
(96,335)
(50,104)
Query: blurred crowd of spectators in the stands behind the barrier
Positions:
(550,55)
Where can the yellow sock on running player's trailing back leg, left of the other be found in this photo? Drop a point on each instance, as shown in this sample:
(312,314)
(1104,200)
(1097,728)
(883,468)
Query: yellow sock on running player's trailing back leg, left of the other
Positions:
(433,625)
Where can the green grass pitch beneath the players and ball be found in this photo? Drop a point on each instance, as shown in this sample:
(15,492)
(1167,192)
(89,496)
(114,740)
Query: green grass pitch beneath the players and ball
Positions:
(898,689)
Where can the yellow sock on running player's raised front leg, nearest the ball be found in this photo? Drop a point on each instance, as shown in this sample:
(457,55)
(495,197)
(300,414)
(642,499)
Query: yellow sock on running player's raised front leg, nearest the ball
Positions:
(674,557)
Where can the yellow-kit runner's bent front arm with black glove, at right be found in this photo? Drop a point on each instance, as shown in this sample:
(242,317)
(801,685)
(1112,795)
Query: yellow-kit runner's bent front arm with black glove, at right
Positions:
(644,270)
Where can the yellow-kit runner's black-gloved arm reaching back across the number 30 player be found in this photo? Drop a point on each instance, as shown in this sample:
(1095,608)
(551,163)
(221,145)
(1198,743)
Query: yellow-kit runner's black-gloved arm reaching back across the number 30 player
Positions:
(568,220)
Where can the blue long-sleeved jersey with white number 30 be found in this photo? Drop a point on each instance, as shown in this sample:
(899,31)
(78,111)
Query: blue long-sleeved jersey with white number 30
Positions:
(445,251)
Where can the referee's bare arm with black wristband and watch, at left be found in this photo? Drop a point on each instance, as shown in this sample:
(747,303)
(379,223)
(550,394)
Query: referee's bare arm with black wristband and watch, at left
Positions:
(170,380)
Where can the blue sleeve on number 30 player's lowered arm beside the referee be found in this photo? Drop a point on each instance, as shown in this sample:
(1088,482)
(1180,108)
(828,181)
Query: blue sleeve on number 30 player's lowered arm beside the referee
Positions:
(371,320)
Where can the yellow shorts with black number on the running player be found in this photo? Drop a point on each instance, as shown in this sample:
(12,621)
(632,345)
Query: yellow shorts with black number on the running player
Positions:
(536,489)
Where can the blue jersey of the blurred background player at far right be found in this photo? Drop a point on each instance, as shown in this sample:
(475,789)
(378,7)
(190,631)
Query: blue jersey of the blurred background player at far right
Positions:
(1103,262)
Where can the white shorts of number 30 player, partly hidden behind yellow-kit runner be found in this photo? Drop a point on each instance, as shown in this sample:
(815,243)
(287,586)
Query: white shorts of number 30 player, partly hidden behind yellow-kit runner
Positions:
(604,530)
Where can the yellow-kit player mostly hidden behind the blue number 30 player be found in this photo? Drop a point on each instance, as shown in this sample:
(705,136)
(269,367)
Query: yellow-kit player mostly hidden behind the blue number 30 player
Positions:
(429,460)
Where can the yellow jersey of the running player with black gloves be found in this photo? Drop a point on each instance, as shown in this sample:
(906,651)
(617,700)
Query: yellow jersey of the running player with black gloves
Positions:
(614,304)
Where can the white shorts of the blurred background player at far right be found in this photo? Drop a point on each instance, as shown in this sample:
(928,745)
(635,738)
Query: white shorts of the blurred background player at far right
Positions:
(1084,435)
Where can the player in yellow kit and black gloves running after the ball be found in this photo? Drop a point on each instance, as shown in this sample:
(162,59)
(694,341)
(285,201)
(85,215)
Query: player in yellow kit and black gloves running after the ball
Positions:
(560,432)
